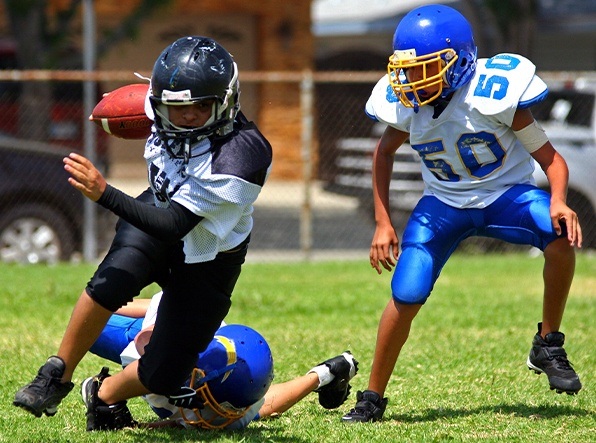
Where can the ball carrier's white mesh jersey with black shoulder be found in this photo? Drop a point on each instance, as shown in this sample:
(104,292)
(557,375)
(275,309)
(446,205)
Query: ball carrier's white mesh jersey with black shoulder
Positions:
(220,185)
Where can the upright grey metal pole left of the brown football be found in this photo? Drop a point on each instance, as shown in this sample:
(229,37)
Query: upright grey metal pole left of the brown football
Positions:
(89,88)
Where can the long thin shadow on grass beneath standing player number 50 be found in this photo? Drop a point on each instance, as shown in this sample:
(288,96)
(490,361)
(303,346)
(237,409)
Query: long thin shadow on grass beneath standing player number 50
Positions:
(518,410)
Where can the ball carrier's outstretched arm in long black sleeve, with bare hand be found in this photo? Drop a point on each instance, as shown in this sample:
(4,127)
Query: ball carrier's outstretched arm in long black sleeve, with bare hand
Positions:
(167,224)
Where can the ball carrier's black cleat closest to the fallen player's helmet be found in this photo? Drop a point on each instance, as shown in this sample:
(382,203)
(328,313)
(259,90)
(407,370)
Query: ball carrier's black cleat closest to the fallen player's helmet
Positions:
(100,415)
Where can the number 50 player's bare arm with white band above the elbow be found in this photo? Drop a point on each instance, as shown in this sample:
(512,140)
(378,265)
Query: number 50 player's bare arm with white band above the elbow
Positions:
(532,136)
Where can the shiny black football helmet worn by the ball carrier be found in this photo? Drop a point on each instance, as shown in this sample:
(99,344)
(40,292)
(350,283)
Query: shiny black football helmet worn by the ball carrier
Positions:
(192,69)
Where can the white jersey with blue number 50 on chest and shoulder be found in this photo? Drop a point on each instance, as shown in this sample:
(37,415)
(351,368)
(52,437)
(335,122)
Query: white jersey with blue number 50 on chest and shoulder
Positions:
(470,155)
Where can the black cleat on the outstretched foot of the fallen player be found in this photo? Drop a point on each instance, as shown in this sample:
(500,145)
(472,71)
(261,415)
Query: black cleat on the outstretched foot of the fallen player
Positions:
(344,367)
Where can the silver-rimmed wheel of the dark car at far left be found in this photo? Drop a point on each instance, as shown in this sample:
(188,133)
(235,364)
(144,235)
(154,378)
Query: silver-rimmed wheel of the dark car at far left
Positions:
(35,234)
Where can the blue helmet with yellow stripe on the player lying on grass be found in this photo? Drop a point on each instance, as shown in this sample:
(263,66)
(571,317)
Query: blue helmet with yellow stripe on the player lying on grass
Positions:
(233,373)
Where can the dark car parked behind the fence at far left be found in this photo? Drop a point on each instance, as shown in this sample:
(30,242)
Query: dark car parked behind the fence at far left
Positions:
(41,215)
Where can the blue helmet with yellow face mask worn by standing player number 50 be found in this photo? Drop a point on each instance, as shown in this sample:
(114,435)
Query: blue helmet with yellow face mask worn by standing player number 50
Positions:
(437,40)
